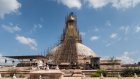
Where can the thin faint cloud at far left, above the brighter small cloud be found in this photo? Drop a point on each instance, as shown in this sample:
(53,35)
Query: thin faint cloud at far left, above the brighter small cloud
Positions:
(11,28)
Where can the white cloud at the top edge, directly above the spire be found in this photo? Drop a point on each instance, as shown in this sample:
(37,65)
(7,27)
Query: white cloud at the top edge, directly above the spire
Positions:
(71,3)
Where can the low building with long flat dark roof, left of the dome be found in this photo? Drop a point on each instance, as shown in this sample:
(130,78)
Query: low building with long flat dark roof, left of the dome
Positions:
(26,61)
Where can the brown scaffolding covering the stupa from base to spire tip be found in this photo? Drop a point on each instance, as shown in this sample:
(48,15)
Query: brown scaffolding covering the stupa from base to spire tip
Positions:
(67,50)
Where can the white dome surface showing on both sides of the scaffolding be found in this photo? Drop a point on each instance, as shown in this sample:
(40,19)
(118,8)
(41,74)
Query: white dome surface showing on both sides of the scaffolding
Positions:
(81,50)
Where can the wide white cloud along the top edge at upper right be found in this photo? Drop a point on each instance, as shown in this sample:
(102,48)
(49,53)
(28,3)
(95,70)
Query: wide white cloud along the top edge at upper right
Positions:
(118,4)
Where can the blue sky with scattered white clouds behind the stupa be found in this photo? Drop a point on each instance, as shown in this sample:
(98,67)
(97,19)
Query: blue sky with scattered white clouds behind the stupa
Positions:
(111,28)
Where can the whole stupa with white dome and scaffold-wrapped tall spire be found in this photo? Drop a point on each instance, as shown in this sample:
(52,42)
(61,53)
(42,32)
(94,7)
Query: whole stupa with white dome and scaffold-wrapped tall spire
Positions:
(70,50)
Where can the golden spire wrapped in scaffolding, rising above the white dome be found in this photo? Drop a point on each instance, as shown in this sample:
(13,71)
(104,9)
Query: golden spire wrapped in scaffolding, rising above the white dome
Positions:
(70,30)
